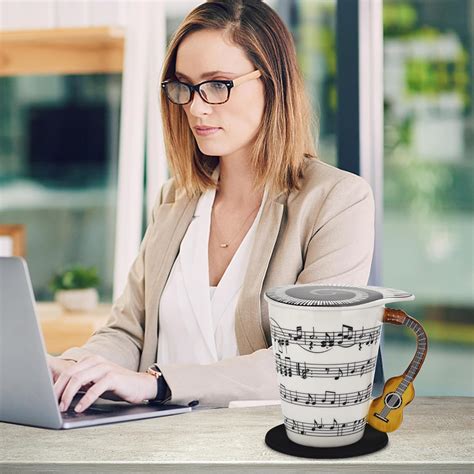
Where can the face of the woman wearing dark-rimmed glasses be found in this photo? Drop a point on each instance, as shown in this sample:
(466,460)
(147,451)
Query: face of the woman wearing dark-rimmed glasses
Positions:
(239,118)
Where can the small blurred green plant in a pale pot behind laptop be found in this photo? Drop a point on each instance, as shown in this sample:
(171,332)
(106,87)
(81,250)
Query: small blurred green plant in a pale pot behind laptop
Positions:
(75,288)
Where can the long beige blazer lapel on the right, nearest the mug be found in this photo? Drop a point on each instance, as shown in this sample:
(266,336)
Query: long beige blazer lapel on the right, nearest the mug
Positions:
(248,323)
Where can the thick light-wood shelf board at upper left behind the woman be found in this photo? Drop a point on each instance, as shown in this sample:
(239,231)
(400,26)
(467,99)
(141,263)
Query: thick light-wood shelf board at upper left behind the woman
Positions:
(62,51)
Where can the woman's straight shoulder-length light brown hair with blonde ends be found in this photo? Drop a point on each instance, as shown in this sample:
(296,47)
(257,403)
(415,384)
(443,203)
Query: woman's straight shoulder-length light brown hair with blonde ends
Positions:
(285,136)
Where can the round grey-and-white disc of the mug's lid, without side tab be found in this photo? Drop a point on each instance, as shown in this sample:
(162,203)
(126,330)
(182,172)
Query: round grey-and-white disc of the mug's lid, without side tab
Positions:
(323,295)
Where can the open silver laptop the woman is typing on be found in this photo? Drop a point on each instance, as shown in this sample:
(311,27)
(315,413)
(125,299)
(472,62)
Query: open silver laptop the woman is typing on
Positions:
(26,383)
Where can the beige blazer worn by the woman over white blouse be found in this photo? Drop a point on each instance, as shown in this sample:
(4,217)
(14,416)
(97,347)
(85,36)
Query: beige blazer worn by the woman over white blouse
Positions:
(323,233)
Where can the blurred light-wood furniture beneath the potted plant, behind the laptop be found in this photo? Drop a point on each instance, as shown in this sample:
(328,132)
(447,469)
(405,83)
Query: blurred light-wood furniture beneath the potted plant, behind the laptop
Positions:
(64,329)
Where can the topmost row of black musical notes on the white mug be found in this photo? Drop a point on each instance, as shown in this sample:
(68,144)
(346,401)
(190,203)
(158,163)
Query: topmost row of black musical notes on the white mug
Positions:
(326,340)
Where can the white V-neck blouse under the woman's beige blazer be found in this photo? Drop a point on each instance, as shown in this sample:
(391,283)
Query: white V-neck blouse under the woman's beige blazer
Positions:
(196,321)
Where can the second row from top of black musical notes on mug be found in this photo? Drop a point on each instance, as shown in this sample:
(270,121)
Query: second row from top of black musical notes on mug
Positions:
(289,368)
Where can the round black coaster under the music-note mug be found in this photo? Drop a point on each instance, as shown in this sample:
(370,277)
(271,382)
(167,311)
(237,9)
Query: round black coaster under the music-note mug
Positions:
(372,441)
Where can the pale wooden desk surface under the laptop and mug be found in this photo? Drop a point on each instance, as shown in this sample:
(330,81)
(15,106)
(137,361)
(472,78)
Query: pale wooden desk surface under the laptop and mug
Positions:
(436,435)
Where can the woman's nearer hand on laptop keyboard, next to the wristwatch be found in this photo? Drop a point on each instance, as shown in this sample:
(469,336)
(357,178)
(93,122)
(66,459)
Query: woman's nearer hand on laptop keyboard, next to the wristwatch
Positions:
(101,375)
